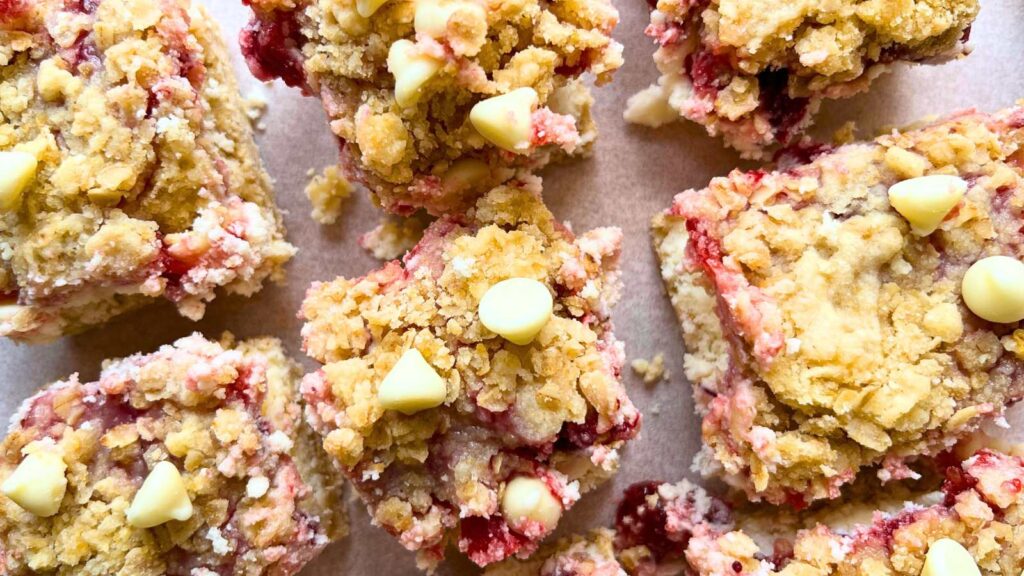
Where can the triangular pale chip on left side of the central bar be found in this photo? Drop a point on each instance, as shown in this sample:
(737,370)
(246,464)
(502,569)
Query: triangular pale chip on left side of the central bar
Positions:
(412,386)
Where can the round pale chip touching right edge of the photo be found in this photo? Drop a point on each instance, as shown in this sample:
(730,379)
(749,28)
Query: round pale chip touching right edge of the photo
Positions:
(994,290)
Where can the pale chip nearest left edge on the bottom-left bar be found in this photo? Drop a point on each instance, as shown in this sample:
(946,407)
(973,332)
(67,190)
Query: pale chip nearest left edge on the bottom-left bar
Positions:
(38,484)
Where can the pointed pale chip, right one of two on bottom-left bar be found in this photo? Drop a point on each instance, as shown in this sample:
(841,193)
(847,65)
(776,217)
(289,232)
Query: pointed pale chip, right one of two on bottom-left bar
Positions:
(162,499)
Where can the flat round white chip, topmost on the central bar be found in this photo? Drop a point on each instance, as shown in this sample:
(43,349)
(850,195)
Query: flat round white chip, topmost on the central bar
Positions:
(517,309)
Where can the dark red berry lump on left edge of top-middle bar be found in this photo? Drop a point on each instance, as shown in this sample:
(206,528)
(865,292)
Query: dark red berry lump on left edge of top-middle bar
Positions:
(273,50)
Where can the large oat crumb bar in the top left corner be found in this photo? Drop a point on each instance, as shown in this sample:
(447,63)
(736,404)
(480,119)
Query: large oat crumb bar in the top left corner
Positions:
(129,171)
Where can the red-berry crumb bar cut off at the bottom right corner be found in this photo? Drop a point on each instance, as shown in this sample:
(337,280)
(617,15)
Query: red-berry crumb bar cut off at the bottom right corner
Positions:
(676,529)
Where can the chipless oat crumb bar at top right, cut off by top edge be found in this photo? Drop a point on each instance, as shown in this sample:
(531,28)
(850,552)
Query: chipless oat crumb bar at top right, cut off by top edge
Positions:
(756,72)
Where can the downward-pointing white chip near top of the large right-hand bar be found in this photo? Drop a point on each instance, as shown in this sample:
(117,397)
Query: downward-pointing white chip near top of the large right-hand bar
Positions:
(926,201)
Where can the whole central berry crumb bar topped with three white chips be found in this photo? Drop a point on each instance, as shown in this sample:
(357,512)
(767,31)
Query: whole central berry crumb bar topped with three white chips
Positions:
(472,393)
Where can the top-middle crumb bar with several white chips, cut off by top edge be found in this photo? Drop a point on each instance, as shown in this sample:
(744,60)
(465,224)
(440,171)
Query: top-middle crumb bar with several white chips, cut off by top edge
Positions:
(435,101)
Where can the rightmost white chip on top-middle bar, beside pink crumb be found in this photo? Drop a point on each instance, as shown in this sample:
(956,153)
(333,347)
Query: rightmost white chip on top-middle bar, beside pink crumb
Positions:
(505,120)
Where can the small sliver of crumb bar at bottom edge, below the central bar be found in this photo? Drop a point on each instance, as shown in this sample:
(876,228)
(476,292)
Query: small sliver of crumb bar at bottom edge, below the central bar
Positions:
(591,555)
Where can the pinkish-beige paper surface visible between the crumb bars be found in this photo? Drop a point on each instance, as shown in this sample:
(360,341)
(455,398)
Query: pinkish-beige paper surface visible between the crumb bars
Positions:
(633,175)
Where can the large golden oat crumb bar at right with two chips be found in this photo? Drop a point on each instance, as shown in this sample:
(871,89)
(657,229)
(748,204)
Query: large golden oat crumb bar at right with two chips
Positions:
(823,336)
